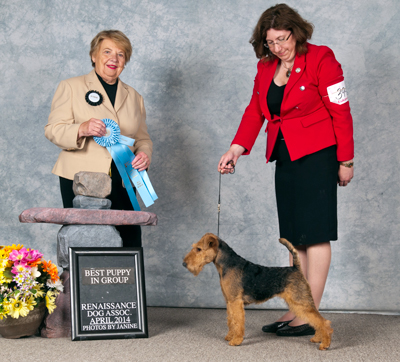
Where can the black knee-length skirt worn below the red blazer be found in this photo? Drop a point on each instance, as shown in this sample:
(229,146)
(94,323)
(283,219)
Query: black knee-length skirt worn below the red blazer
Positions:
(306,195)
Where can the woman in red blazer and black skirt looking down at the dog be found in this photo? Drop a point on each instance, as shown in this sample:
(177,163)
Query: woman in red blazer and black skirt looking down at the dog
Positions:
(299,89)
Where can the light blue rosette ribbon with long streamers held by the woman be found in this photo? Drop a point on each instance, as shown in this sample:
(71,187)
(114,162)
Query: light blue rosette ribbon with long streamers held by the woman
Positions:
(117,145)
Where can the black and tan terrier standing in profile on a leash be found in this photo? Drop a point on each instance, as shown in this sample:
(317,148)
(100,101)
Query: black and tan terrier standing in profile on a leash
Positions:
(243,282)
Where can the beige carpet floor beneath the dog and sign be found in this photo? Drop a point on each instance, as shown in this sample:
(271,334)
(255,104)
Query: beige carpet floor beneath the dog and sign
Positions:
(180,334)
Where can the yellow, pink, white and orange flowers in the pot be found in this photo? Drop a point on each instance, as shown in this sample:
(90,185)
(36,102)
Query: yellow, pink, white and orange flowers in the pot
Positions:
(26,280)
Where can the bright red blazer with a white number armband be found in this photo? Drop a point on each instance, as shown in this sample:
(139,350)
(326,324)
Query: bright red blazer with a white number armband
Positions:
(310,119)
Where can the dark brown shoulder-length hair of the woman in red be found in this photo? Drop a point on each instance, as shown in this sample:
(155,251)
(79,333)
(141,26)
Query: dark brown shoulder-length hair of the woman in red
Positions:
(280,17)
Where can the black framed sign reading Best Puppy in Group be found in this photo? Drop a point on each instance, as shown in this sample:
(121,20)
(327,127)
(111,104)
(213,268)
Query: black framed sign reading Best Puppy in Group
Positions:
(108,298)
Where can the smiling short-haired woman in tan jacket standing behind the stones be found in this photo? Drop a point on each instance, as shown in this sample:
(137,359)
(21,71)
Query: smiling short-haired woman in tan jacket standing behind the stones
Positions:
(78,107)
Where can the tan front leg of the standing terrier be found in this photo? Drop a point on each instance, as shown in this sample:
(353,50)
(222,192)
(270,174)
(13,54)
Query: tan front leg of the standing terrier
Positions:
(236,320)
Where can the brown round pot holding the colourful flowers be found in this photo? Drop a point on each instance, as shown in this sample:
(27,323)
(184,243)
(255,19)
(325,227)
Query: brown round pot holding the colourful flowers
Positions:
(23,326)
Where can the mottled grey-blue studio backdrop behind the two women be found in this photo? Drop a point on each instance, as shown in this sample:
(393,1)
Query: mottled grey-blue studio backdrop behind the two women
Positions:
(195,69)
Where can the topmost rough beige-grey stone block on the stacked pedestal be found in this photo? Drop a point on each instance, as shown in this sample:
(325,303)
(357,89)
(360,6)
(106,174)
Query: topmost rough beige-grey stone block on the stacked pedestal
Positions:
(94,184)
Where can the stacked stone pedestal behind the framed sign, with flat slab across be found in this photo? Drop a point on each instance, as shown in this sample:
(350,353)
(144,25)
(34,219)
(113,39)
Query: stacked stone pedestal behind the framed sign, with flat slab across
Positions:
(89,224)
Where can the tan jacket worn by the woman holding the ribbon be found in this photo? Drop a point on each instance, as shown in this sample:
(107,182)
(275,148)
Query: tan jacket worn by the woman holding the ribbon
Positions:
(69,110)
